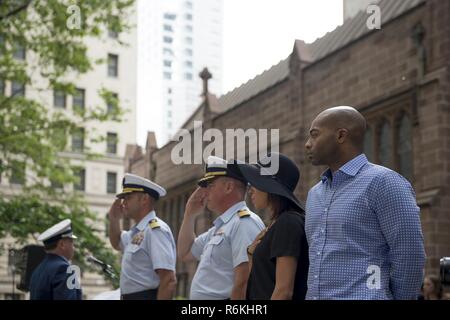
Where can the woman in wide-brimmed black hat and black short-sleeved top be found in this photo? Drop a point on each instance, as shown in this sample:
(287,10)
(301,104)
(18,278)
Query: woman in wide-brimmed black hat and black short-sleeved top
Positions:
(279,255)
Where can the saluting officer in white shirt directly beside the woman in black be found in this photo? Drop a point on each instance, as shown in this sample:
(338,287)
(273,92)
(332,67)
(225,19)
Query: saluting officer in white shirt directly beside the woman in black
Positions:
(223,269)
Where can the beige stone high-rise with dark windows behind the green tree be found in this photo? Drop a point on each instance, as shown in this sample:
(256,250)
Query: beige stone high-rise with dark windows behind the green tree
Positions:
(99,178)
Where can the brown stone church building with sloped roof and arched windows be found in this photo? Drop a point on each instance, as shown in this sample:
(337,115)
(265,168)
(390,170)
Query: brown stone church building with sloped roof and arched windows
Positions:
(398,77)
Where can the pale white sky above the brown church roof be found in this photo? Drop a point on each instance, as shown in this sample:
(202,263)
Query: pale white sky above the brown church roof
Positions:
(259,33)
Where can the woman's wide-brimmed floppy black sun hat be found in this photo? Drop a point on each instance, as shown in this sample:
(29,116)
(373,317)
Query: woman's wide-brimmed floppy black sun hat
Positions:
(282,182)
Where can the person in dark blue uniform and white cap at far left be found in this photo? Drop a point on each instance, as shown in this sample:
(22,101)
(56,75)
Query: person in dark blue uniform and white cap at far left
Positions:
(55,278)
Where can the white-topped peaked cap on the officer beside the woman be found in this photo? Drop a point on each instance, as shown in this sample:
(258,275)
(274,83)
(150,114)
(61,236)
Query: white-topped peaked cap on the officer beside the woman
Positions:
(218,167)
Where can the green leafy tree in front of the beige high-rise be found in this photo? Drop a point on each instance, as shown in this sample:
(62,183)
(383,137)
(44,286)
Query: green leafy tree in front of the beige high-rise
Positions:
(41,49)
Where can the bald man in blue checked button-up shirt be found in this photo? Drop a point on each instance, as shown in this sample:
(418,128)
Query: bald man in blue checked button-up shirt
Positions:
(362,220)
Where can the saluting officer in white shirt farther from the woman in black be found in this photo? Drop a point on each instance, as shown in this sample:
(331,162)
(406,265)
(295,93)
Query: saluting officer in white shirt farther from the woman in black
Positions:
(148,262)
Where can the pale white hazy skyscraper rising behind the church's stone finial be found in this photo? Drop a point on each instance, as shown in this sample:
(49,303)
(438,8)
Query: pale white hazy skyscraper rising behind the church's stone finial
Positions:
(176,40)
